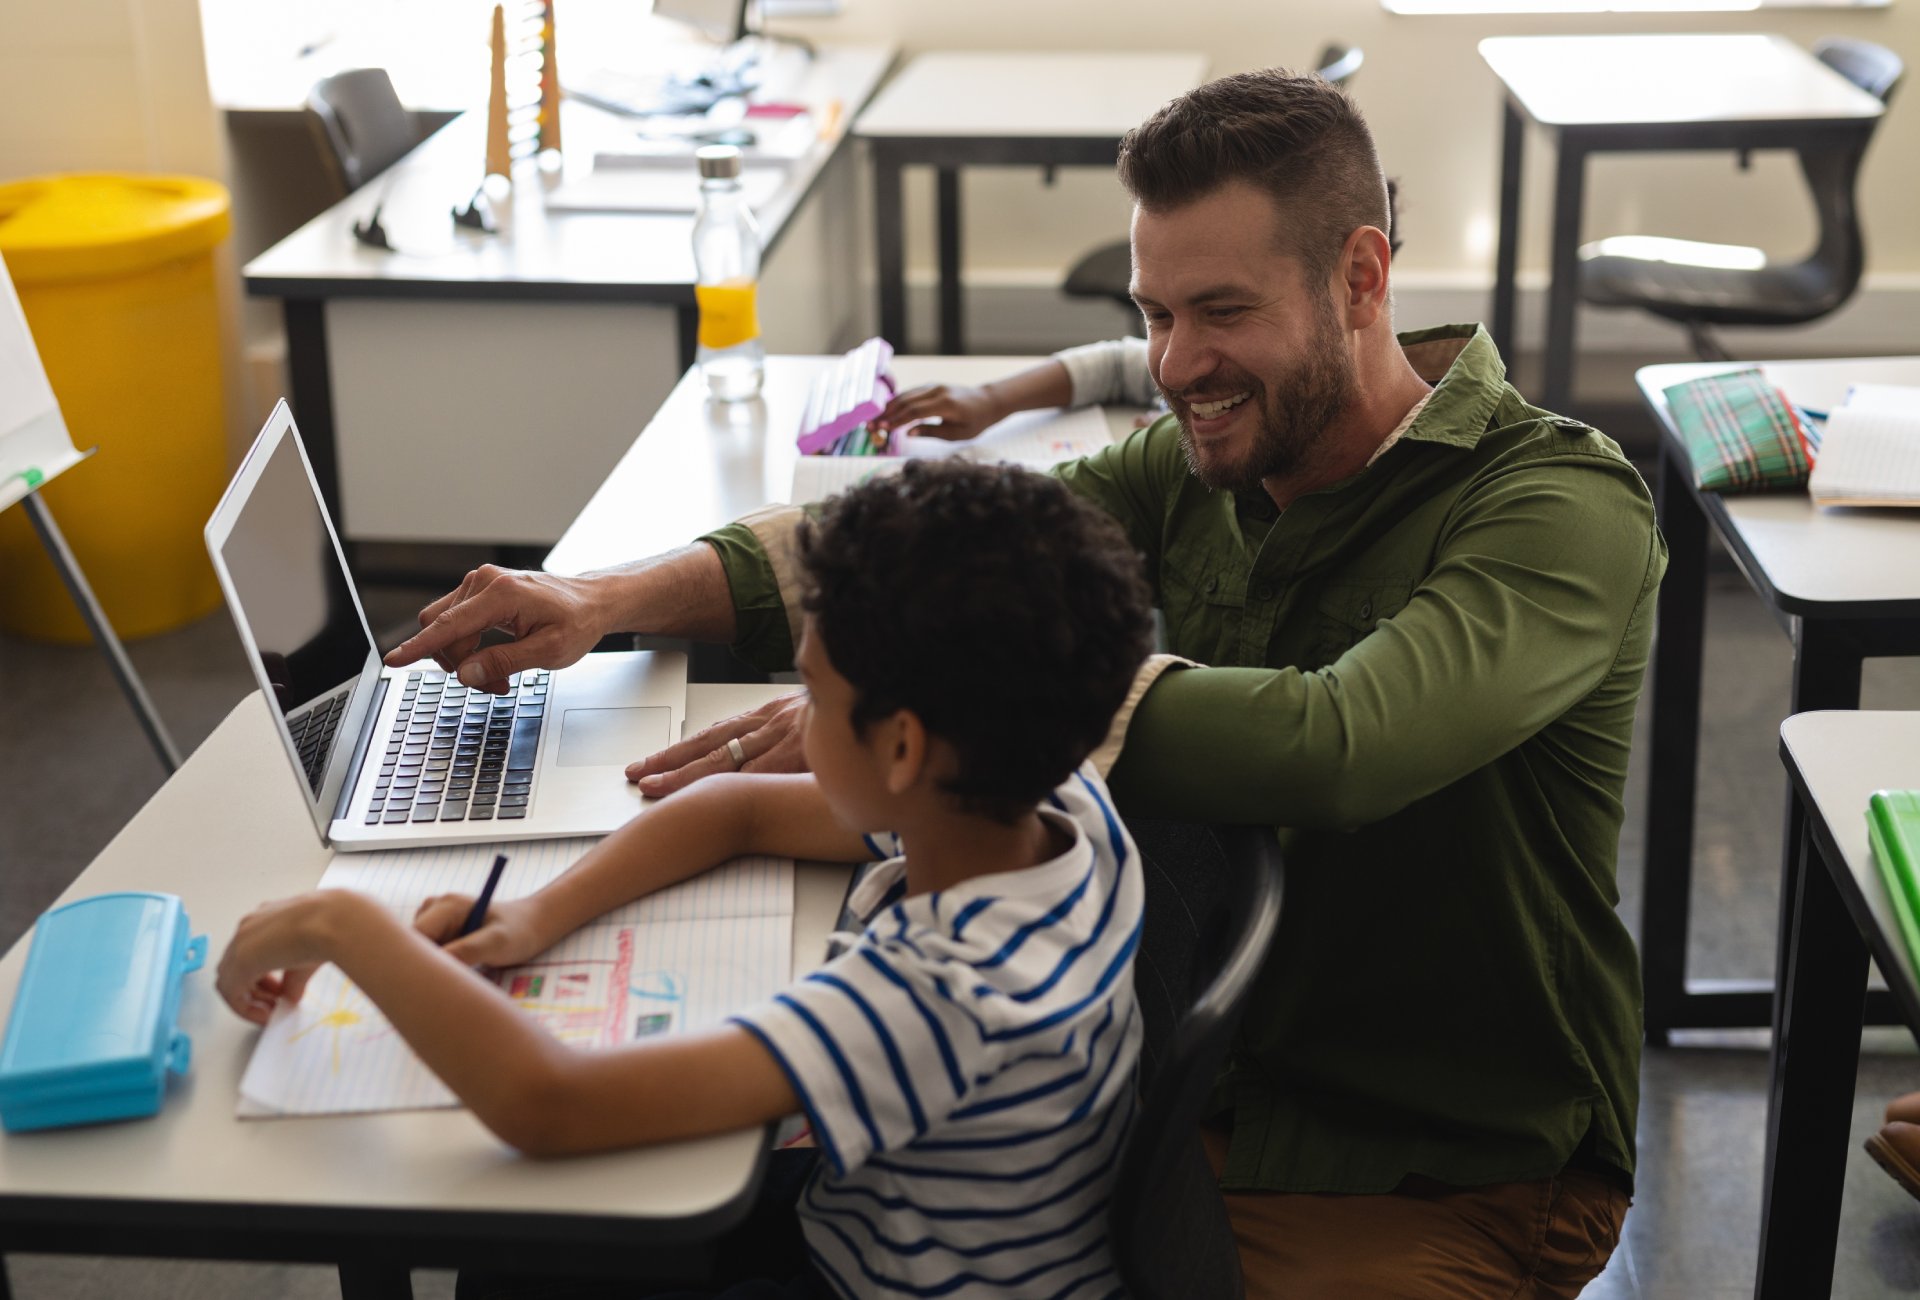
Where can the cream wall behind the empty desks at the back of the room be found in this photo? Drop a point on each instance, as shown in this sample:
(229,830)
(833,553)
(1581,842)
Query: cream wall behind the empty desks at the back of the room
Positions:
(1435,112)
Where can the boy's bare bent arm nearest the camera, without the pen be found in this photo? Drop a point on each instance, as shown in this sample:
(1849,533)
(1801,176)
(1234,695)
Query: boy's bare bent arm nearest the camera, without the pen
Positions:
(527,1088)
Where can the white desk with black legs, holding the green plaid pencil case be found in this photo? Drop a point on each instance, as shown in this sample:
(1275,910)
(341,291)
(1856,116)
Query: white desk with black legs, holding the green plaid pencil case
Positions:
(1842,583)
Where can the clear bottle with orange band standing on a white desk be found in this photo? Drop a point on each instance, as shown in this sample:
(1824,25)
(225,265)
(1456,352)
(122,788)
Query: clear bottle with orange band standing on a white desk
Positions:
(727,260)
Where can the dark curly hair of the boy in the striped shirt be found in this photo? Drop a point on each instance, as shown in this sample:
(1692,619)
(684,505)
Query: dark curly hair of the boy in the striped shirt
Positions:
(994,604)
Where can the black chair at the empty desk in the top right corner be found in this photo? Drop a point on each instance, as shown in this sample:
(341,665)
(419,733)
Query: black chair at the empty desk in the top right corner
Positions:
(1714,285)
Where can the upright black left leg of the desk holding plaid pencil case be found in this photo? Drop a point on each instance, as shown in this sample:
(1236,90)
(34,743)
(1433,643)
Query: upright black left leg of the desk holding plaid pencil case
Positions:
(1673,759)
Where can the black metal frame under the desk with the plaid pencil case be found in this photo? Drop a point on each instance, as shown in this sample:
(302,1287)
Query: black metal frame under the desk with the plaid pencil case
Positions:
(1831,642)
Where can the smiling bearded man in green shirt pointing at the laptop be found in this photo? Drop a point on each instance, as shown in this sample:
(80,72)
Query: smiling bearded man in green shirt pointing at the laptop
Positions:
(1428,608)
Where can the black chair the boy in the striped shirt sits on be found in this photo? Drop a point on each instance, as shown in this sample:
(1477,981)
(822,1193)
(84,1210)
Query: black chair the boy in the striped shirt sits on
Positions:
(1212,909)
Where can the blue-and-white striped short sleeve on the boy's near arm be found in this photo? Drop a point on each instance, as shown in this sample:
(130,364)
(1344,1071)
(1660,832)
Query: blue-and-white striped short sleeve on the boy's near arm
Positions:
(878,1047)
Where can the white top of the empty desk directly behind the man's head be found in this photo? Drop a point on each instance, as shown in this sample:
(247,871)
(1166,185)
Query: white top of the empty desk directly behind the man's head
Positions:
(1020,95)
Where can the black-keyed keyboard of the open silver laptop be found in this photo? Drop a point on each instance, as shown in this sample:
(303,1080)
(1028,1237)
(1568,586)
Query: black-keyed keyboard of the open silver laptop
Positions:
(460,756)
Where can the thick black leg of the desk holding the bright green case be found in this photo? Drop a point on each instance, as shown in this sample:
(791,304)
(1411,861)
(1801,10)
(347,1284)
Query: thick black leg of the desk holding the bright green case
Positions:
(1810,1107)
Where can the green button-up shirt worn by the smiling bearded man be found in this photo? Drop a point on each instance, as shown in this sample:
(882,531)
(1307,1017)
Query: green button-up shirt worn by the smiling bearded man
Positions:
(1426,675)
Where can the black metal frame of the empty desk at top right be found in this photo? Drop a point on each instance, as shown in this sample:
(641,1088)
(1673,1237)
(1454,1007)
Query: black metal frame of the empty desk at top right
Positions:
(1570,193)
